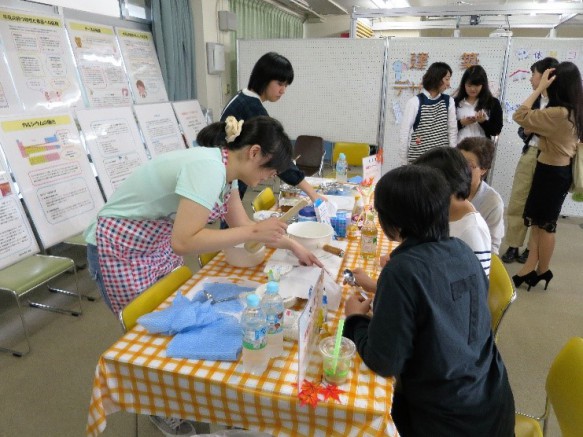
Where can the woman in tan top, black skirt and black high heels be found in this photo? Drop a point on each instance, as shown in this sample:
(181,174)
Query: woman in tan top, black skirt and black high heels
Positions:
(559,127)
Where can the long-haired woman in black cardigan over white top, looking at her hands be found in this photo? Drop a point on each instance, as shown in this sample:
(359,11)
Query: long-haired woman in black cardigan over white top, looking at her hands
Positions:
(479,113)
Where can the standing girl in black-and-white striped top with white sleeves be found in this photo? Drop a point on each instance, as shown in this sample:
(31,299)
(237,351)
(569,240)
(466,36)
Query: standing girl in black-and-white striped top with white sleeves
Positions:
(429,118)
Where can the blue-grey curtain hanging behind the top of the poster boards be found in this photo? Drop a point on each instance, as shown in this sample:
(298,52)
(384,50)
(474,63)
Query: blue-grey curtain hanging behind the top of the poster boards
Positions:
(174,39)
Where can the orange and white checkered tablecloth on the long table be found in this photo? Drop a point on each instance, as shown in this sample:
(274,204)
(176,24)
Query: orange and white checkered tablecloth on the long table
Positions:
(135,375)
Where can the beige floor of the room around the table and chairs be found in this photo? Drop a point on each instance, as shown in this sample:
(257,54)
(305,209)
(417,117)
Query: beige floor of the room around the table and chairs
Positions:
(47,392)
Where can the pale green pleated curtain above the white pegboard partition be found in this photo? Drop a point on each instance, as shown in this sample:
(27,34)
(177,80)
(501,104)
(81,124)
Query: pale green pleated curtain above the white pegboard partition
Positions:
(257,19)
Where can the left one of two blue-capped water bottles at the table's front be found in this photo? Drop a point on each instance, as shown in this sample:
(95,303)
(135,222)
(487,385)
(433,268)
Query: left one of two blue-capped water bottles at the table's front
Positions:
(254,325)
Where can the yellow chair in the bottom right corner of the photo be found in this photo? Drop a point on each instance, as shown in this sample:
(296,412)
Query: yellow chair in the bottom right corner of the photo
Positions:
(564,387)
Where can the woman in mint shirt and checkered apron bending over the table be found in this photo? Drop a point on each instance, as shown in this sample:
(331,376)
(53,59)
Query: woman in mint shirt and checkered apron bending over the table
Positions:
(159,213)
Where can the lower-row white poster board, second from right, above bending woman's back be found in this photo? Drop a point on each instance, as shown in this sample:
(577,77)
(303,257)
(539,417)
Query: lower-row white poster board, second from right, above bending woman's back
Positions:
(159,127)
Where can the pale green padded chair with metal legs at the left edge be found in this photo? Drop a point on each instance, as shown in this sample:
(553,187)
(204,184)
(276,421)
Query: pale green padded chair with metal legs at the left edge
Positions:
(29,273)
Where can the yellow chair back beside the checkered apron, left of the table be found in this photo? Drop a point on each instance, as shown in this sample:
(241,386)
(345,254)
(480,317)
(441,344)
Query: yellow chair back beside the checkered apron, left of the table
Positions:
(153,296)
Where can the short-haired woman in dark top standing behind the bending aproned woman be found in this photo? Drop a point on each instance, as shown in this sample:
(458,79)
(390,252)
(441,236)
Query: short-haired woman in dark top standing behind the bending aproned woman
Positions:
(270,77)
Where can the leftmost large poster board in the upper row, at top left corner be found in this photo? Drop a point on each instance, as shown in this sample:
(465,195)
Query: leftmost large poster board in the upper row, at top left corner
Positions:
(40,60)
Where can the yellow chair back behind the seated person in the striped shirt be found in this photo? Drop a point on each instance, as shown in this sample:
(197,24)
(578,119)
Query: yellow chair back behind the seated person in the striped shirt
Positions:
(501,292)
